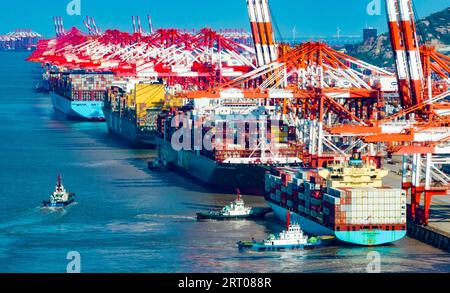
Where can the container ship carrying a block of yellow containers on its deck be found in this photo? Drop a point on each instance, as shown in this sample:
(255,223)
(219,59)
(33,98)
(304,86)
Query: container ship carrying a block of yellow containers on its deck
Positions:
(131,110)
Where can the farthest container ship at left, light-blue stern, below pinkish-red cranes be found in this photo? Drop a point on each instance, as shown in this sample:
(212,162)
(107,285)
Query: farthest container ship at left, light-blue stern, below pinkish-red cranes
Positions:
(79,94)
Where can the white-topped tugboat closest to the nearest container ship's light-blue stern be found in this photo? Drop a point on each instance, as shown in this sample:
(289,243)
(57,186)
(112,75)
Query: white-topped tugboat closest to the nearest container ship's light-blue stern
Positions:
(292,238)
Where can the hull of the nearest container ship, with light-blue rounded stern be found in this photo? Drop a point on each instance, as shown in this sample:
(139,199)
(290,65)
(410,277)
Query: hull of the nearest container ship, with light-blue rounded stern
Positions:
(365,238)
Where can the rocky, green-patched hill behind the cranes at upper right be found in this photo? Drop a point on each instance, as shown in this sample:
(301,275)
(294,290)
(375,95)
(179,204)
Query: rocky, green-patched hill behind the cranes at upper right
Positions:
(434,29)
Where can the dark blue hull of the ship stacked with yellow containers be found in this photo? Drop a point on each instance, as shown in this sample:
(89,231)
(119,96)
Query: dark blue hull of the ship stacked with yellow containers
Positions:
(127,130)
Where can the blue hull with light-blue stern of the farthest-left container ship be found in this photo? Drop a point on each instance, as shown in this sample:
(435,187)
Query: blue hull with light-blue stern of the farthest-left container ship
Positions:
(78,110)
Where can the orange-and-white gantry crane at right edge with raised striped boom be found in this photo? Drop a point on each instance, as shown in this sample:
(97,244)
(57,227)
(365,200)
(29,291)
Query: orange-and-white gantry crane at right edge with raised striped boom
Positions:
(420,131)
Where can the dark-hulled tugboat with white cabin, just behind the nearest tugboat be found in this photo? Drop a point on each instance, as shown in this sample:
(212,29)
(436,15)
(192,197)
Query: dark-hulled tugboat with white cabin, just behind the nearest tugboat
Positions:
(236,210)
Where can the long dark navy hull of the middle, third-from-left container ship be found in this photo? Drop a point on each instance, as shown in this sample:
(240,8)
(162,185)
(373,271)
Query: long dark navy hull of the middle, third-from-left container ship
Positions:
(218,176)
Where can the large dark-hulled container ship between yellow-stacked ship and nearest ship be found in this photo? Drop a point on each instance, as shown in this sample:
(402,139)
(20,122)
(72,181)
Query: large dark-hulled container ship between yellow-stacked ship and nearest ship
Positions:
(238,156)
